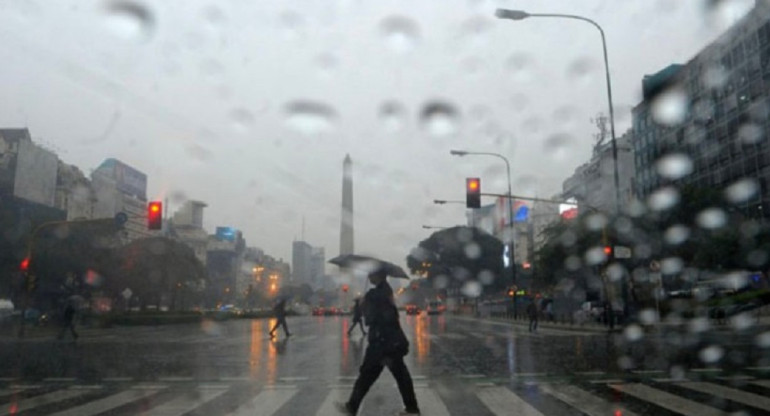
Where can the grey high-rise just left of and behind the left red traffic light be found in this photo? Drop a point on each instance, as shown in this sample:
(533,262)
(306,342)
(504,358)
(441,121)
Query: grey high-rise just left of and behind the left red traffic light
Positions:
(121,188)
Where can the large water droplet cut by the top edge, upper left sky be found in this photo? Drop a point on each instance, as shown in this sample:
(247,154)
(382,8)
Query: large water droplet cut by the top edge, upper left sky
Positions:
(130,20)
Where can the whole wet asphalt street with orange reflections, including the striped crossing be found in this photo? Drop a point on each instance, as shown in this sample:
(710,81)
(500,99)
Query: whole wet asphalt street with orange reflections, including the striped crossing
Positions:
(461,366)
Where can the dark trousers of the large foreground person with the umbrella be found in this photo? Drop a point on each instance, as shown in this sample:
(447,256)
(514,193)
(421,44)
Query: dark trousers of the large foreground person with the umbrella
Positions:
(374,362)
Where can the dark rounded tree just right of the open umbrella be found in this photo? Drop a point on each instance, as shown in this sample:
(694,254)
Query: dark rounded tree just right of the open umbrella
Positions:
(460,254)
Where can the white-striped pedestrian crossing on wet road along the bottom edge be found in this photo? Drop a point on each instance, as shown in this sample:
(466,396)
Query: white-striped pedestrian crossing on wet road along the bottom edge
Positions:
(459,396)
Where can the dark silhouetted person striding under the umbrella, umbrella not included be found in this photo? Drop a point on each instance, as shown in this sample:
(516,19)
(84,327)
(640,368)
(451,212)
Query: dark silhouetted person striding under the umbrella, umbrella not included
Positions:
(387,347)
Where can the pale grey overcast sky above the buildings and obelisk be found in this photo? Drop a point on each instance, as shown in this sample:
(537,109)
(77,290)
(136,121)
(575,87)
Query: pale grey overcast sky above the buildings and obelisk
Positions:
(252,106)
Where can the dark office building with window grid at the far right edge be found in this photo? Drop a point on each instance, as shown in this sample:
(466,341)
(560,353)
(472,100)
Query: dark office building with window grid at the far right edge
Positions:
(722,127)
